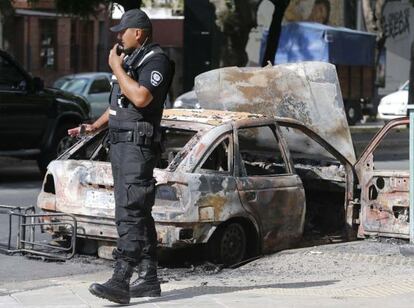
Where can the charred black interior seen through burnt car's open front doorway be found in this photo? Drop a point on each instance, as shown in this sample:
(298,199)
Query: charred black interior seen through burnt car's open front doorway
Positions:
(324,180)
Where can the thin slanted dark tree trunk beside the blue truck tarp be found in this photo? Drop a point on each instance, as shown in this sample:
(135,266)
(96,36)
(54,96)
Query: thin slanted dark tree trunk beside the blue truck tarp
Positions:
(274,31)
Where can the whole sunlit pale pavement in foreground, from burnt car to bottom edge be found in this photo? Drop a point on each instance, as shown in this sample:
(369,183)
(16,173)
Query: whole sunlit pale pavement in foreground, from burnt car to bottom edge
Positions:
(342,277)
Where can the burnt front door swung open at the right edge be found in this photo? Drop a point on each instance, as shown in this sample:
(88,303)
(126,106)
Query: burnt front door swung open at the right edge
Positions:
(384,193)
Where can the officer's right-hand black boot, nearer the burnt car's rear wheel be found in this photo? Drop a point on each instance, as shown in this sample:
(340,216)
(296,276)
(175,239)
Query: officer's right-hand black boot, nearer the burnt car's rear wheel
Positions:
(147,283)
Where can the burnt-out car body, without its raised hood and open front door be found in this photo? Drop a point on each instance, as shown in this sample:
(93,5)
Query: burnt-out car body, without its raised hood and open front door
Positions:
(216,184)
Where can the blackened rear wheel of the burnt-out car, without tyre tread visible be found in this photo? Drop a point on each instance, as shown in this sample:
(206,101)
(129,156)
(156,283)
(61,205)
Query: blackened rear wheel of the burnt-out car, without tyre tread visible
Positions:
(233,244)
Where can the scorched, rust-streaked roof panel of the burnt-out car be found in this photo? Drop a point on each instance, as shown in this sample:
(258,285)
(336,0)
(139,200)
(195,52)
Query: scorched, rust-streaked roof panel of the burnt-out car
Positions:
(210,117)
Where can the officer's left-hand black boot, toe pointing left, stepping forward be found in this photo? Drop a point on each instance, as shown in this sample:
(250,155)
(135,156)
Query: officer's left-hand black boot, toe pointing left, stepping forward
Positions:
(115,289)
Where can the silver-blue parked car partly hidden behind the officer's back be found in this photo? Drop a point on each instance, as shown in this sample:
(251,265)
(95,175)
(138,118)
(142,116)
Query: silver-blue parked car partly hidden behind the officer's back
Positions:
(95,87)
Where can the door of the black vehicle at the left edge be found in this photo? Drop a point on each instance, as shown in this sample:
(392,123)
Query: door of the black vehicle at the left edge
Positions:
(23,111)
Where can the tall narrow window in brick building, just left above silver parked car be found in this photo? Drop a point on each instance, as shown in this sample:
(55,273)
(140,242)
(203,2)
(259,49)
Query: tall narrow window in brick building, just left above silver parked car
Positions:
(48,43)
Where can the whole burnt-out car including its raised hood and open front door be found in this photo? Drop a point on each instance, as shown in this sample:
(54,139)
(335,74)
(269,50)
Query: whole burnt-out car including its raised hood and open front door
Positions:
(240,183)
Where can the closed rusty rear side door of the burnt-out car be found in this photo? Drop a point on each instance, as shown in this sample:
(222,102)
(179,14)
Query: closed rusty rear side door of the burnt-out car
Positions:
(268,188)
